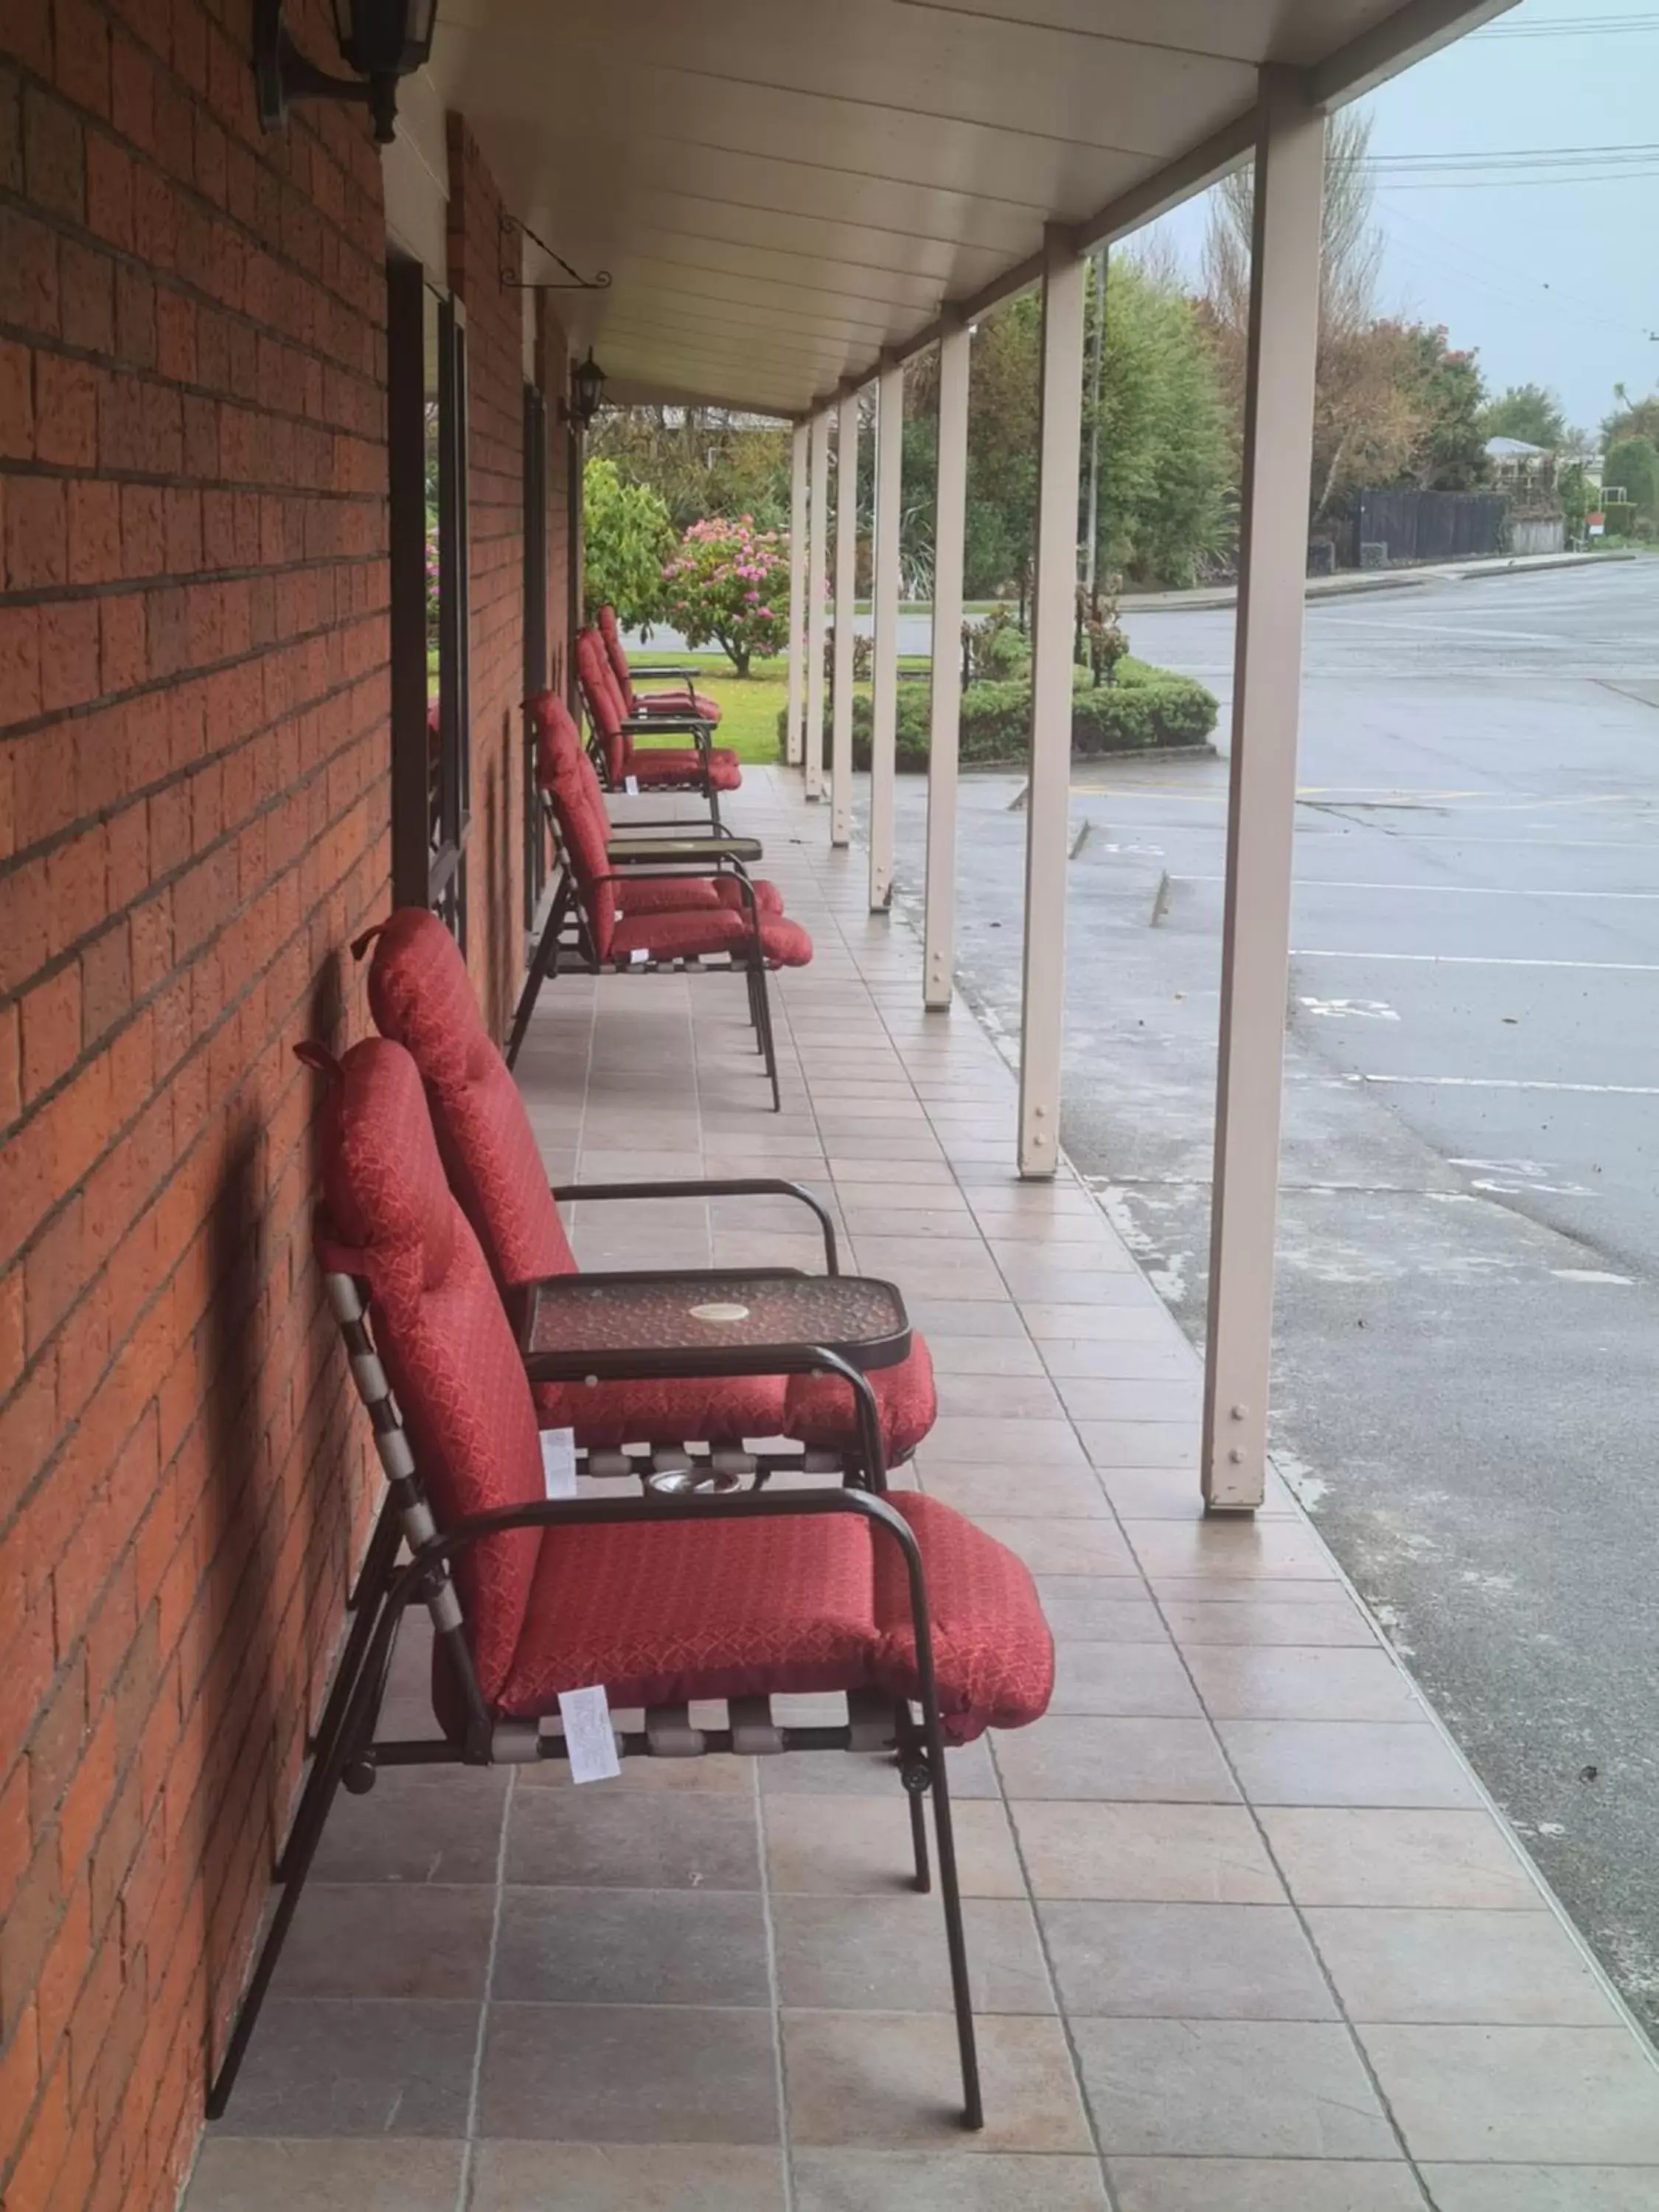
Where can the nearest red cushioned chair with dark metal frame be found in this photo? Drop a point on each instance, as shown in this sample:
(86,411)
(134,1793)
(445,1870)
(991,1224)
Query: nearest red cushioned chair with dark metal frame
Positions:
(930,1629)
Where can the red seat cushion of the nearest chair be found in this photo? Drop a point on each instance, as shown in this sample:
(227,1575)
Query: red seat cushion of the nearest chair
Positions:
(682,1611)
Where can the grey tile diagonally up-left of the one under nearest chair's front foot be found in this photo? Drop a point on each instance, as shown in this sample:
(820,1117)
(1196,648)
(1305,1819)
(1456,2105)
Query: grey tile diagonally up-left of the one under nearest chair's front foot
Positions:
(632,1948)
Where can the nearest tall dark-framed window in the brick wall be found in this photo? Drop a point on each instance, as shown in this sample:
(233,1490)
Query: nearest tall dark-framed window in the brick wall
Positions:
(430,629)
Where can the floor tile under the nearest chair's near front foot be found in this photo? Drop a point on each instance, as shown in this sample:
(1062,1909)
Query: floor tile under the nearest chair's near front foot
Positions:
(893,2078)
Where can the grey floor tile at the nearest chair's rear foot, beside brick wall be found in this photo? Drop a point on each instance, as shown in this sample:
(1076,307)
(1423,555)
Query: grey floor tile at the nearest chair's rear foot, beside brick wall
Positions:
(362,2067)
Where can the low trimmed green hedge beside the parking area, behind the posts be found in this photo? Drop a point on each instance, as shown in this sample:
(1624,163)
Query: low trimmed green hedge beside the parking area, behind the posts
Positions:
(1145,709)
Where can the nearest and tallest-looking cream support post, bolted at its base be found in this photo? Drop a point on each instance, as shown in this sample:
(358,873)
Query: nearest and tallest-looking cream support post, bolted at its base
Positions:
(1262,806)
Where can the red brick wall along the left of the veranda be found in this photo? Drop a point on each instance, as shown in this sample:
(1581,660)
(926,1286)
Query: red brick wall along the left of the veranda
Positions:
(194,822)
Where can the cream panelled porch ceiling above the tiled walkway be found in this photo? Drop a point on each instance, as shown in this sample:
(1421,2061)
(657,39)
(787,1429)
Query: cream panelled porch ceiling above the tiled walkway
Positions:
(782,191)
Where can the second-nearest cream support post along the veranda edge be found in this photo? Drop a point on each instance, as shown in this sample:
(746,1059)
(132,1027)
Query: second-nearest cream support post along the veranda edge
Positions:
(1054,614)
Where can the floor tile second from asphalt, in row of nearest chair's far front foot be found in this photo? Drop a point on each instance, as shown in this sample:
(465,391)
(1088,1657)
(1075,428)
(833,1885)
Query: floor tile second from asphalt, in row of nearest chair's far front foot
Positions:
(1202,1855)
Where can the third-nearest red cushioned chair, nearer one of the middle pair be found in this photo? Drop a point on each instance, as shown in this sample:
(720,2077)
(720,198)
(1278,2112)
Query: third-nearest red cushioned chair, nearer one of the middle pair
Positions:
(594,928)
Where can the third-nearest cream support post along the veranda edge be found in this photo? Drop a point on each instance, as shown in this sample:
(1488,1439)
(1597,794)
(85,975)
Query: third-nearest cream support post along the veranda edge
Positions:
(950,532)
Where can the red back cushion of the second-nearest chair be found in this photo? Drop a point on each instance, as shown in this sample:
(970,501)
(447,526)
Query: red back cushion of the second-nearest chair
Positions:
(424,999)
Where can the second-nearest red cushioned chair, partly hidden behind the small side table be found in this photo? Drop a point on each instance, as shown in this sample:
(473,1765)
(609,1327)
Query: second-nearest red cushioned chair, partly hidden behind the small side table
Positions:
(424,999)
